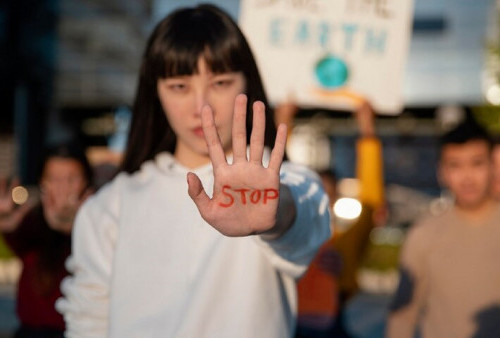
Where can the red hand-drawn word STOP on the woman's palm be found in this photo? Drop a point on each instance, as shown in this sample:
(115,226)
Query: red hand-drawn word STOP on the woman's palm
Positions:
(247,196)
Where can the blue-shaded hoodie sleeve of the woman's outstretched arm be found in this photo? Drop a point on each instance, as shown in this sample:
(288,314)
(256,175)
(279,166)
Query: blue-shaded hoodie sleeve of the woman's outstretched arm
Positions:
(293,251)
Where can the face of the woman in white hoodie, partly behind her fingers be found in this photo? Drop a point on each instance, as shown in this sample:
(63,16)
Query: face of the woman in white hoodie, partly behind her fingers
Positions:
(182,98)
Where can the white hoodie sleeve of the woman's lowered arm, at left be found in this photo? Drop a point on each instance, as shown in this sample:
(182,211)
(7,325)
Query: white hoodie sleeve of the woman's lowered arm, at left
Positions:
(85,302)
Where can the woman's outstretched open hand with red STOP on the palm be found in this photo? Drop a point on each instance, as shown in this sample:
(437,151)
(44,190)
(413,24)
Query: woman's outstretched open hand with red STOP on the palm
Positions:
(246,194)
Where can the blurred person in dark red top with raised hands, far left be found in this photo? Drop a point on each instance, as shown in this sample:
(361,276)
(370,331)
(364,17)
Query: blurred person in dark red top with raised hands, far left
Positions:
(40,236)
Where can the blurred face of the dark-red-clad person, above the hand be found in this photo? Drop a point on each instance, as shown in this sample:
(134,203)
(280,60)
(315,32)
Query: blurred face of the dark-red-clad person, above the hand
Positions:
(63,176)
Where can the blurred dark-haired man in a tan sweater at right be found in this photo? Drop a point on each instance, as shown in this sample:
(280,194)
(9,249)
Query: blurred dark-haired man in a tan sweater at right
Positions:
(449,275)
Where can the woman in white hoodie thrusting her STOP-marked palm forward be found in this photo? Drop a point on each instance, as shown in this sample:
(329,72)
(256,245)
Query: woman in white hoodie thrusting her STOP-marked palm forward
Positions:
(154,256)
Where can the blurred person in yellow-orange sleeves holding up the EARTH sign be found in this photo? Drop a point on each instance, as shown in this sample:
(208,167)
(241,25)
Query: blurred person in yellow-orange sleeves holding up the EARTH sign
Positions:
(331,280)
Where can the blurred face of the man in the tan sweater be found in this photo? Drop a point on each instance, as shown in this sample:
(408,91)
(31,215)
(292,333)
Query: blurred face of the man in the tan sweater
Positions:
(466,170)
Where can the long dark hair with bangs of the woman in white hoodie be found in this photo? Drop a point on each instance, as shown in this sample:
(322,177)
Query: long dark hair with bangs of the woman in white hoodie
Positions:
(173,49)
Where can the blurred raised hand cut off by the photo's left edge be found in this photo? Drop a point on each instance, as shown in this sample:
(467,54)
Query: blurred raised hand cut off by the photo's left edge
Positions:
(11,215)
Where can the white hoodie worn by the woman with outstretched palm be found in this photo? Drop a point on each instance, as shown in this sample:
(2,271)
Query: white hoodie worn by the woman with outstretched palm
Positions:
(145,264)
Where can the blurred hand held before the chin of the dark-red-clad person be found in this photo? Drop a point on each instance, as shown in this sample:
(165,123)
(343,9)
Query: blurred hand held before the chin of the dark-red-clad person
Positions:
(60,205)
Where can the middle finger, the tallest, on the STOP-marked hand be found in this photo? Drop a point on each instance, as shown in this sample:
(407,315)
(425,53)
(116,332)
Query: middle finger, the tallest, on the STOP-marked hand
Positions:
(240,129)
